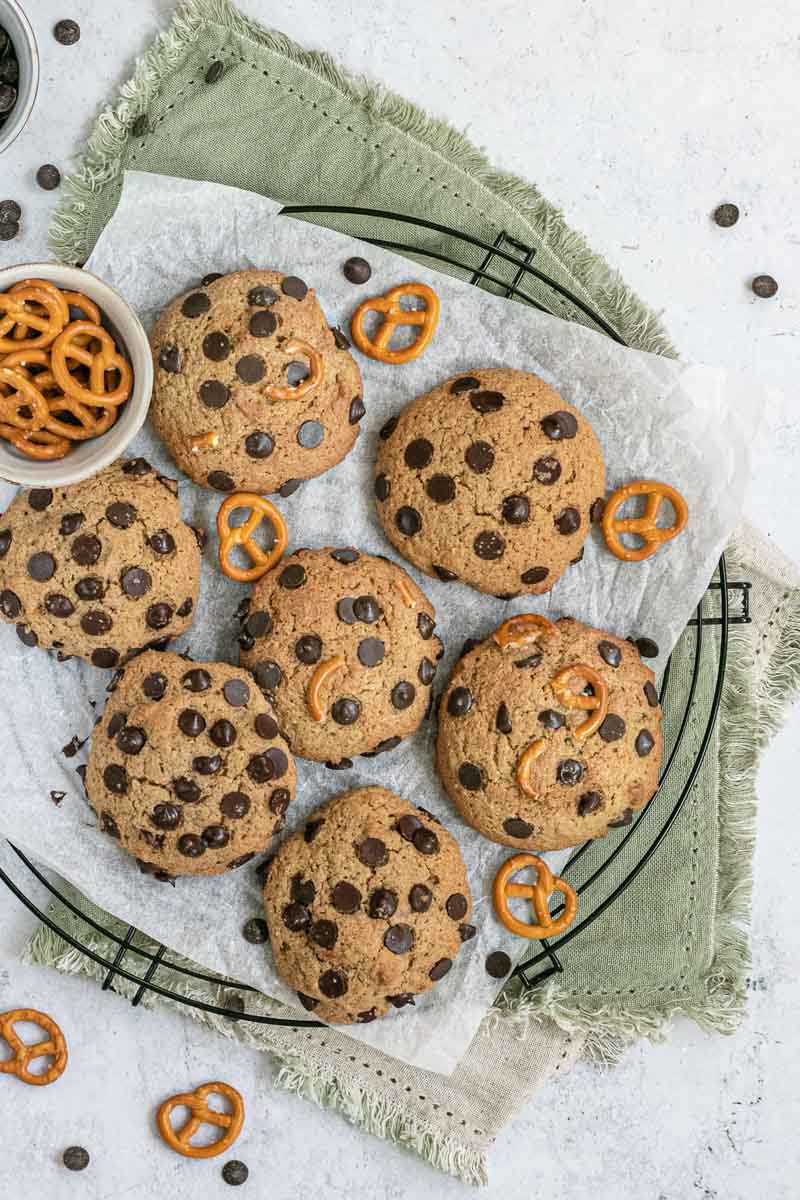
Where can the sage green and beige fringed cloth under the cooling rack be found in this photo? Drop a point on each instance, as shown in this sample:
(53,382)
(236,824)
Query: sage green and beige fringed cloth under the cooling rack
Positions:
(288,123)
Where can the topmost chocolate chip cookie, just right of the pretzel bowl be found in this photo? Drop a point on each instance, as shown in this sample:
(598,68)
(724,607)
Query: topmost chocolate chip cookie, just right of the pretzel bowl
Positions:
(252,389)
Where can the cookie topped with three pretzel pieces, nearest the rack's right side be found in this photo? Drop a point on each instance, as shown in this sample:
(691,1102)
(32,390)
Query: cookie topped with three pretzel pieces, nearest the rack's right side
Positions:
(501,703)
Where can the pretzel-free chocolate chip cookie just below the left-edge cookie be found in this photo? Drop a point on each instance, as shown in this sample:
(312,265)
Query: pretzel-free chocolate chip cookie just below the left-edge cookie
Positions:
(189,771)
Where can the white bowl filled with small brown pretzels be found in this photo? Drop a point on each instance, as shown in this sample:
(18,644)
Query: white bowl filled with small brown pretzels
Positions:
(76,375)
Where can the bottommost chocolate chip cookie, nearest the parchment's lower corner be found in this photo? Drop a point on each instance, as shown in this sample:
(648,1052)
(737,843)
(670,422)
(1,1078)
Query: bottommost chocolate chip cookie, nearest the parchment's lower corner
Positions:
(368,907)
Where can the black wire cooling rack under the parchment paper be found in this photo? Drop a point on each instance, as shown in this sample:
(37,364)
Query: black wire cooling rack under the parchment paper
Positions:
(506,267)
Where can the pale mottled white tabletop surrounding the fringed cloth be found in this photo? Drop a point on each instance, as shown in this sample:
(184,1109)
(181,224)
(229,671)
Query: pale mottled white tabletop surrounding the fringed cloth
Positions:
(640,118)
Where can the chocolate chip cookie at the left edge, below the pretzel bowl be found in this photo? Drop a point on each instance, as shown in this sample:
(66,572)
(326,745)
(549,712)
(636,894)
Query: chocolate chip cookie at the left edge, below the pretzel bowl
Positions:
(103,568)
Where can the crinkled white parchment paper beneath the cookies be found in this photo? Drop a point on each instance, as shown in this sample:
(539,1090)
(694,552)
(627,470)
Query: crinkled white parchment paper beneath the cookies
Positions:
(688,425)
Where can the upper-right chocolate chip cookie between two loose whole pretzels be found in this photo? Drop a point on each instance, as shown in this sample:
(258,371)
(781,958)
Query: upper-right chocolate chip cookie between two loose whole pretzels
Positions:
(491,479)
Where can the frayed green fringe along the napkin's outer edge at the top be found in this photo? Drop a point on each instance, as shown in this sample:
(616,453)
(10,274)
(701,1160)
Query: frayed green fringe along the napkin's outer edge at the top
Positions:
(104,161)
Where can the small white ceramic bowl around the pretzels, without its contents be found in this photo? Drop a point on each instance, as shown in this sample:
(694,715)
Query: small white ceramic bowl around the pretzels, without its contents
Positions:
(86,459)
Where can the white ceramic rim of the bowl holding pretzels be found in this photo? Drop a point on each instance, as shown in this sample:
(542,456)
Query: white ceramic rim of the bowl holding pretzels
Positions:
(111,446)
